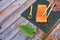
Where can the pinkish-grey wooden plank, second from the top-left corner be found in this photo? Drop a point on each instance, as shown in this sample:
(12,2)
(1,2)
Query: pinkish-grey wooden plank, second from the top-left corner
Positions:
(9,10)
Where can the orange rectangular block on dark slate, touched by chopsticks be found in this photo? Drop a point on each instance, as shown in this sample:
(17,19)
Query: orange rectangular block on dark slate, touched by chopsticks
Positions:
(40,10)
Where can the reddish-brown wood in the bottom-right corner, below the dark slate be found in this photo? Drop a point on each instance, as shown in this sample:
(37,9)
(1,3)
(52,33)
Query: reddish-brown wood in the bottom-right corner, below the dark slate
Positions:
(55,32)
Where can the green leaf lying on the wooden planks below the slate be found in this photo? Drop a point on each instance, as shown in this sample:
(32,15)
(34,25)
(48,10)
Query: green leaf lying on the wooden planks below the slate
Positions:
(27,30)
